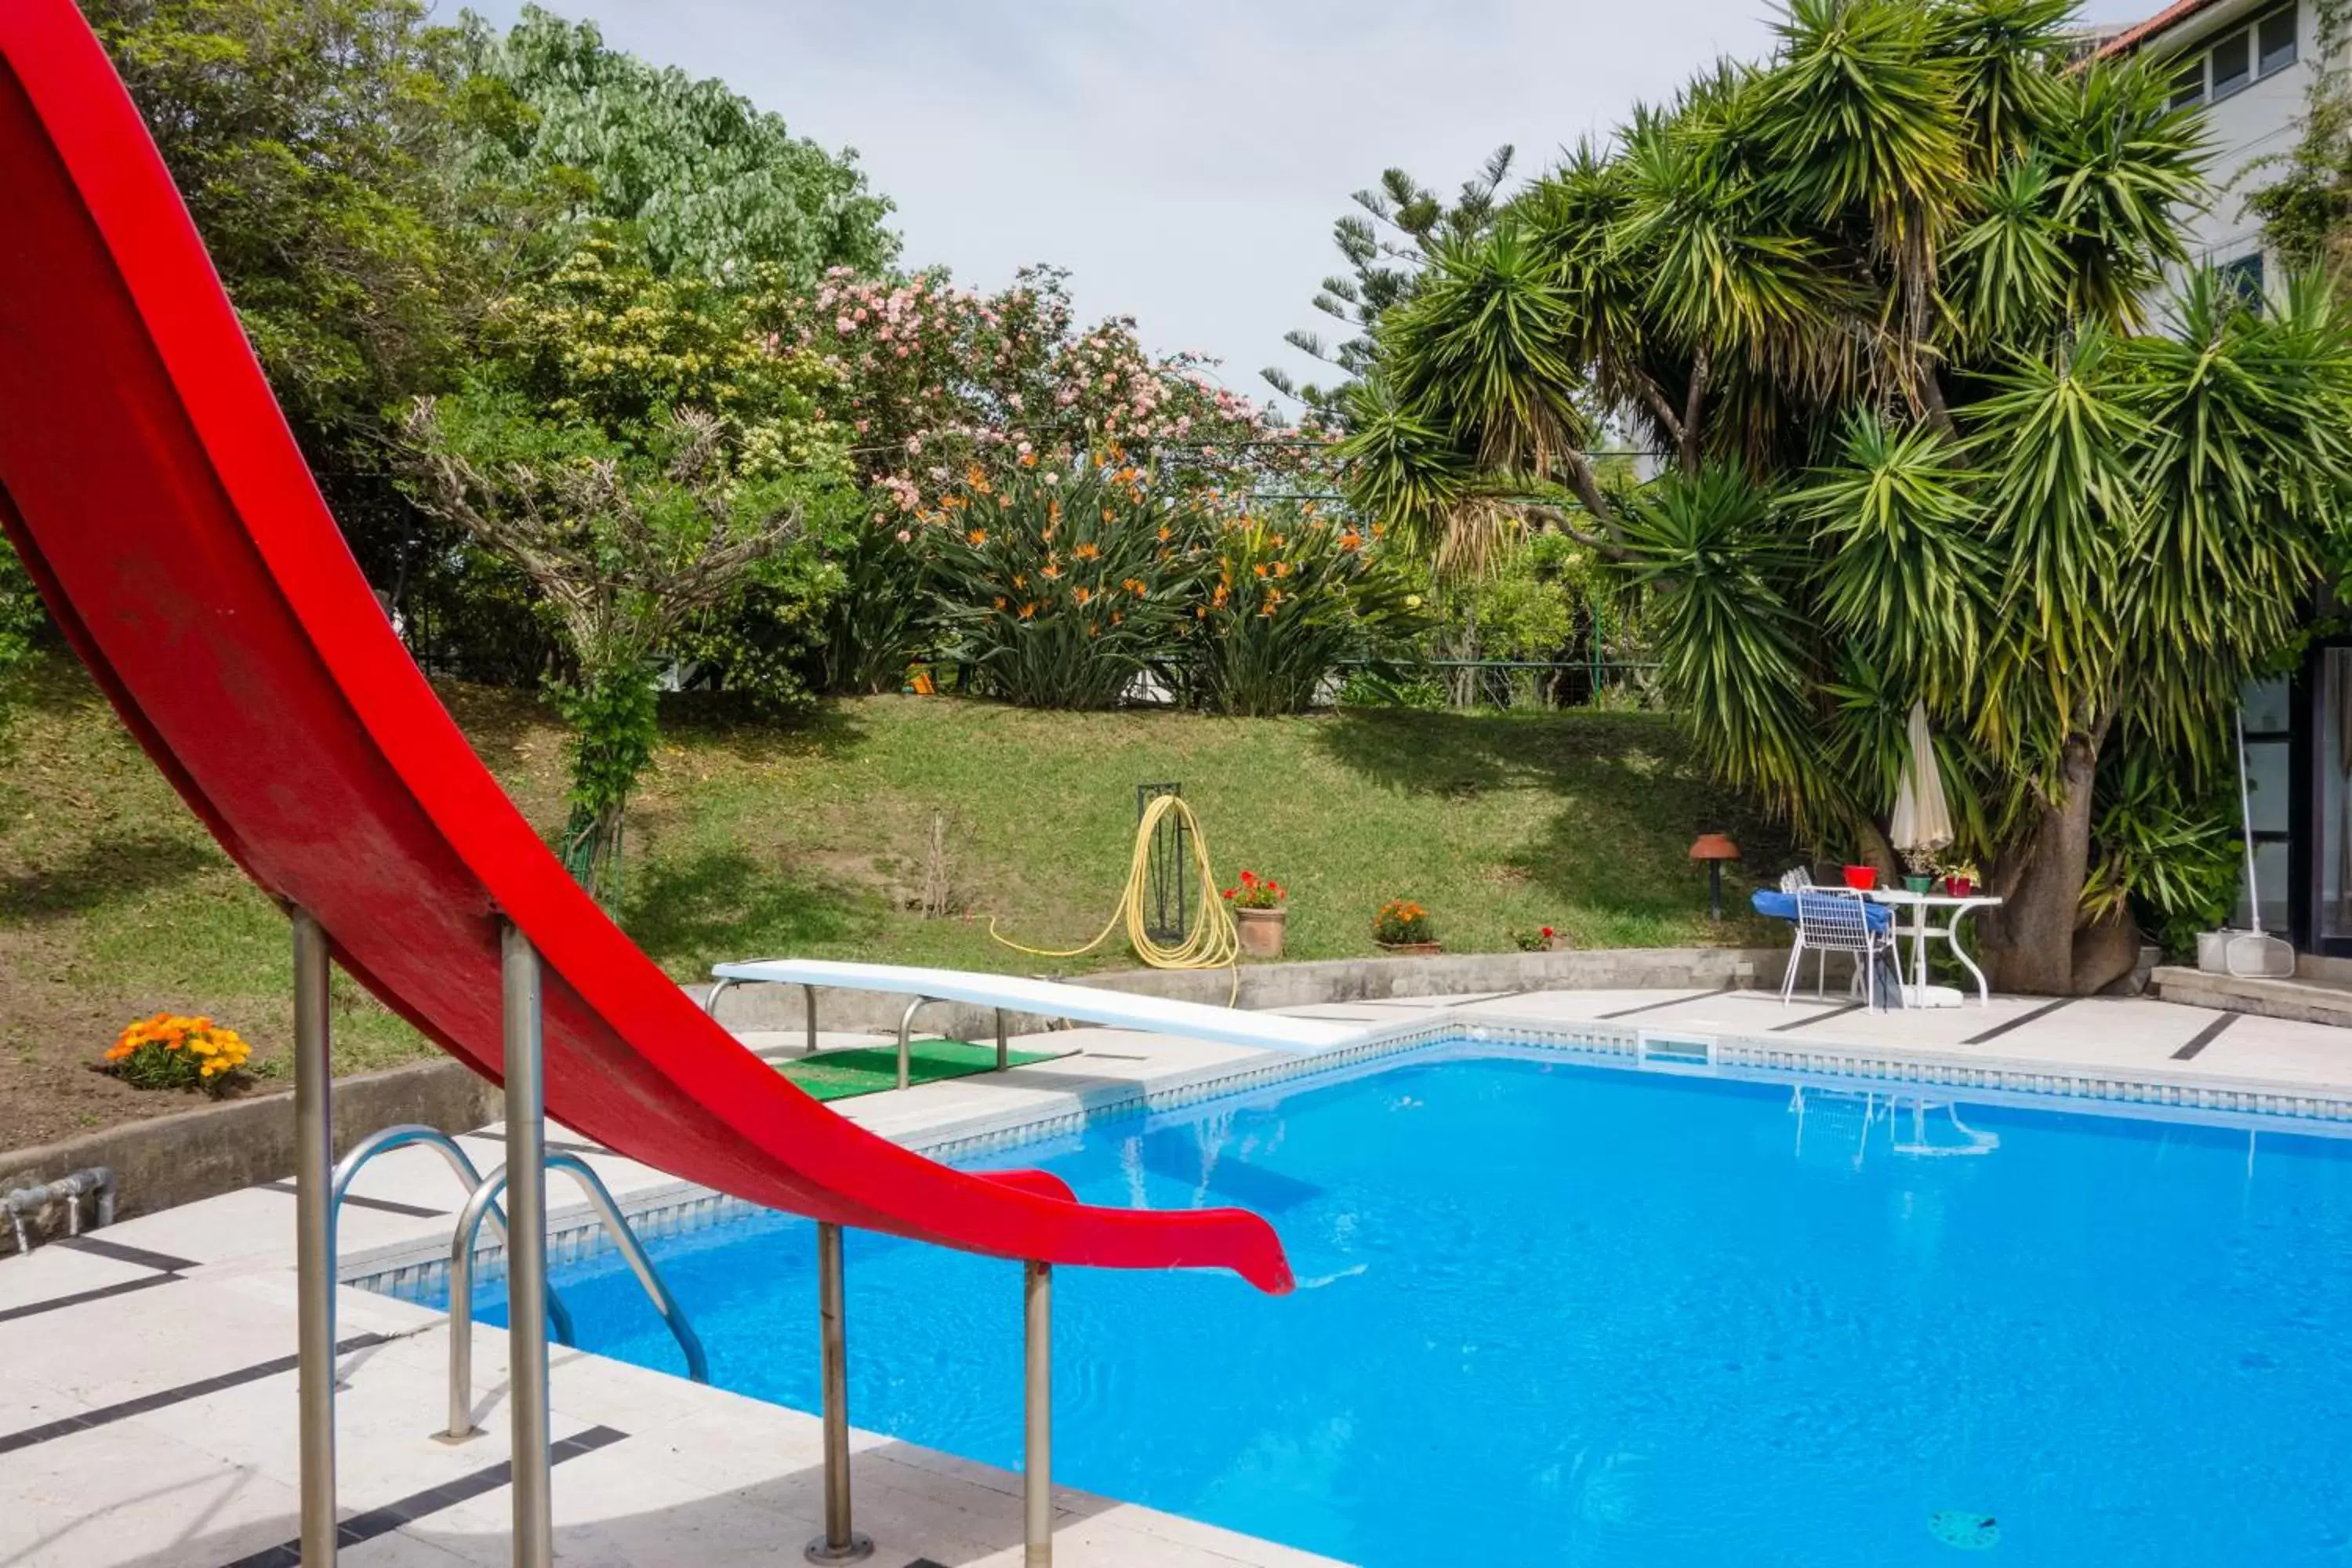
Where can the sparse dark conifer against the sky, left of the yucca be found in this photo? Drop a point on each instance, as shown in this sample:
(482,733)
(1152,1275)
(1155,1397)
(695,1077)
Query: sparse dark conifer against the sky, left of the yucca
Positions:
(1387,248)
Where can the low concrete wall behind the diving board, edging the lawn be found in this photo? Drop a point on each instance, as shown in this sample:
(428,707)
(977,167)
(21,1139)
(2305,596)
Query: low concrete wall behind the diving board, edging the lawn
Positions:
(780,1007)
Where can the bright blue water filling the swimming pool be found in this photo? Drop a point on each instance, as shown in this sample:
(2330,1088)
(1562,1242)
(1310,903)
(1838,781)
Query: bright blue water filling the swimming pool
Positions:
(1579,1315)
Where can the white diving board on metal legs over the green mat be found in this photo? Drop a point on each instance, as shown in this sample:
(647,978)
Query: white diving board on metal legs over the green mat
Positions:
(1038,998)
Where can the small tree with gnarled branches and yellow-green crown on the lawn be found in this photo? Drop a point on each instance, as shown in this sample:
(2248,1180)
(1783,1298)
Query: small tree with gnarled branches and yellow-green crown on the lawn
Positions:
(639,448)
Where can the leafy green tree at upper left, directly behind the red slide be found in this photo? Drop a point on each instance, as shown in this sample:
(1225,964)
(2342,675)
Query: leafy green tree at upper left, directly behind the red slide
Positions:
(312,142)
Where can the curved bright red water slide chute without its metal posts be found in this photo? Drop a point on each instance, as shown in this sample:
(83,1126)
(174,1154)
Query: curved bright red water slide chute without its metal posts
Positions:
(161,504)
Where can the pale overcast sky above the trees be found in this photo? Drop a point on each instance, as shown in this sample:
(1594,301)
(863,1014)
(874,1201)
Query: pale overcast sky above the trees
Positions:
(1184,159)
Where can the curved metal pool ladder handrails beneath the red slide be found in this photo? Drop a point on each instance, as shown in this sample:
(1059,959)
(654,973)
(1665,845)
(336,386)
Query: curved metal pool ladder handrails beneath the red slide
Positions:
(483,1205)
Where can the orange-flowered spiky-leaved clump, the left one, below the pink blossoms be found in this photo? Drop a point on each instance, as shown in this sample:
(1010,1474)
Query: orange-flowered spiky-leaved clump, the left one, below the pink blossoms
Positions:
(1062,584)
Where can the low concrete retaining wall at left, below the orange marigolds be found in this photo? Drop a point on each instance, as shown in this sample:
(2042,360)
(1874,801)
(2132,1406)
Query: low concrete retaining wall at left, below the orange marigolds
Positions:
(220,1148)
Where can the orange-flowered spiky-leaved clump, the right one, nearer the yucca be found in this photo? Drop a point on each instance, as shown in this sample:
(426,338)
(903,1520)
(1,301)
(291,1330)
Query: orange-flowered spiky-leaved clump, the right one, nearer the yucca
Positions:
(1295,596)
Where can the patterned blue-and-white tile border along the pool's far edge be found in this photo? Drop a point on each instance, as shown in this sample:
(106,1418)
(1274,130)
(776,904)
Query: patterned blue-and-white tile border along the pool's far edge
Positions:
(683,1207)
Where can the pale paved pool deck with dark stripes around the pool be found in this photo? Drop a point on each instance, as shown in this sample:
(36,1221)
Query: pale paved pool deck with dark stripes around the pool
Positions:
(147,1372)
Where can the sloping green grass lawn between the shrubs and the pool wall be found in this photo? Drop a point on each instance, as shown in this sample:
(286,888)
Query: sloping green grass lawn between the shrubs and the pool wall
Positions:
(759,840)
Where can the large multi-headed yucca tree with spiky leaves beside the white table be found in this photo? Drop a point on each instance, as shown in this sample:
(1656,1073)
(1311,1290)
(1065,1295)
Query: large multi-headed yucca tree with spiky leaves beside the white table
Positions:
(1883,304)
